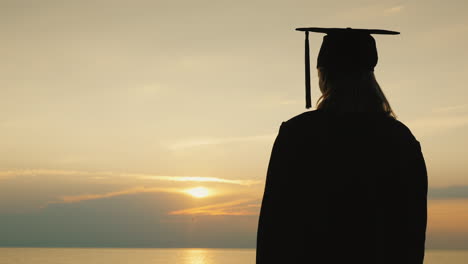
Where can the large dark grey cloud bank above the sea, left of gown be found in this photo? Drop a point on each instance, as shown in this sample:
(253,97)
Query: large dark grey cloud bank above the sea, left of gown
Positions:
(139,220)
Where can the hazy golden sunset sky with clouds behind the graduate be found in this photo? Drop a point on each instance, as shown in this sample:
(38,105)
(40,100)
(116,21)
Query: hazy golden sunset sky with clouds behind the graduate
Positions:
(115,115)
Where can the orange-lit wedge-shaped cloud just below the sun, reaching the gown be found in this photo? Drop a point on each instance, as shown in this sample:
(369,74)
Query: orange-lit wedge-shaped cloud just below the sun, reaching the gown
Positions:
(239,207)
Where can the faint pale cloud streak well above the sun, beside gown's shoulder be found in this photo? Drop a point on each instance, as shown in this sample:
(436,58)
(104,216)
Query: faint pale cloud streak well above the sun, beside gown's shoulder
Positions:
(190,143)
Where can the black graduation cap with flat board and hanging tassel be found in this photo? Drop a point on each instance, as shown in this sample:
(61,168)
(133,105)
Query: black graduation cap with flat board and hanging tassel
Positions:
(343,49)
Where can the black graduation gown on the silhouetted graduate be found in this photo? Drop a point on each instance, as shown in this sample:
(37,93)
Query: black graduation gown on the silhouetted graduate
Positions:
(344,189)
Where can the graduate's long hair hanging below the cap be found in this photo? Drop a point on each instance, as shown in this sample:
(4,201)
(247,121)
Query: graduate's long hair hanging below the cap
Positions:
(351,91)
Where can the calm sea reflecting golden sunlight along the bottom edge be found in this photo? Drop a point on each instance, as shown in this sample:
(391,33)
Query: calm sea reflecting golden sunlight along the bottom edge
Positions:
(167,256)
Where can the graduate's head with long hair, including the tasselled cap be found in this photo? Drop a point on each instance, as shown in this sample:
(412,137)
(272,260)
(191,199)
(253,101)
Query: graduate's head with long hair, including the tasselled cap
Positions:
(345,64)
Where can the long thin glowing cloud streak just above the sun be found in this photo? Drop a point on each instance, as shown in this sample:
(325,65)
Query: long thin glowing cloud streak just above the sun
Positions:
(107,174)
